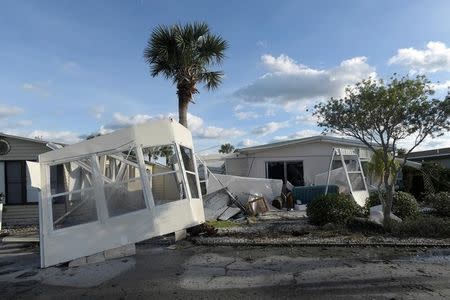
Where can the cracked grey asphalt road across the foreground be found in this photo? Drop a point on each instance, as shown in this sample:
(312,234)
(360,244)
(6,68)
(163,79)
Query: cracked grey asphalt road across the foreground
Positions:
(198,272)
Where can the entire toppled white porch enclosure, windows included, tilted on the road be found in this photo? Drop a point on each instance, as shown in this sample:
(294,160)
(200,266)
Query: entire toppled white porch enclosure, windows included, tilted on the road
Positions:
(117,189)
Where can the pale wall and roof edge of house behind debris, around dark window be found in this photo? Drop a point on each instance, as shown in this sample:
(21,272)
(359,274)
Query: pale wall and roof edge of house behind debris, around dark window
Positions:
(315,157)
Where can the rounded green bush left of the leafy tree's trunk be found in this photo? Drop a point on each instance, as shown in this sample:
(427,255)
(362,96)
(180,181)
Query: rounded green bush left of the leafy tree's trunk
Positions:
(332,208)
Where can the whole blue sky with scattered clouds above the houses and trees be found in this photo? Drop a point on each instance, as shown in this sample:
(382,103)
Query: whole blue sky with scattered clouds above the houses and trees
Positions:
(70,68)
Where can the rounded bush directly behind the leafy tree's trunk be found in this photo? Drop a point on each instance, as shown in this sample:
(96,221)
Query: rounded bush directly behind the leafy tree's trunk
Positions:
(404,205)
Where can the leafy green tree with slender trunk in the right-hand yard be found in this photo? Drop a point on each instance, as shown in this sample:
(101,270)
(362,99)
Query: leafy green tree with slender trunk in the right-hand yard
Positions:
(383,115)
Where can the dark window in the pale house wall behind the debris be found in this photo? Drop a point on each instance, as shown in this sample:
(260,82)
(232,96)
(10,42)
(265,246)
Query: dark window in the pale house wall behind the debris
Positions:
(291,171)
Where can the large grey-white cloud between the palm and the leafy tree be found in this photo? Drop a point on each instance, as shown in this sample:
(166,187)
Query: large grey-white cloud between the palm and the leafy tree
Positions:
(294,85)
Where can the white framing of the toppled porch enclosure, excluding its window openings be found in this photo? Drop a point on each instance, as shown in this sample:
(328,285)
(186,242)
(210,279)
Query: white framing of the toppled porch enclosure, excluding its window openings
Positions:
(68,243)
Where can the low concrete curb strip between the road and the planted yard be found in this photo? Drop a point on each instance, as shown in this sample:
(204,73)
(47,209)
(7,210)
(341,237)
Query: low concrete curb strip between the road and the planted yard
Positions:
(212,241)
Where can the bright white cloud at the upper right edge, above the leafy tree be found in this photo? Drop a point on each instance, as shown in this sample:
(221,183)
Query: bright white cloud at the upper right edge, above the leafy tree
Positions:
(435,57)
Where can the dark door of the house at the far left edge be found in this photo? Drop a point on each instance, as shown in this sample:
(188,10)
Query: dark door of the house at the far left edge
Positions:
(16,189)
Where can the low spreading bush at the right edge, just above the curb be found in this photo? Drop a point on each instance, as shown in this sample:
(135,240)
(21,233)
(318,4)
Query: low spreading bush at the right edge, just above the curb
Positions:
(422,226)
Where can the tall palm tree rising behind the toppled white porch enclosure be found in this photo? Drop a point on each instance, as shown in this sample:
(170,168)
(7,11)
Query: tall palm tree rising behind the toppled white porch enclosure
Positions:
(186,54)
